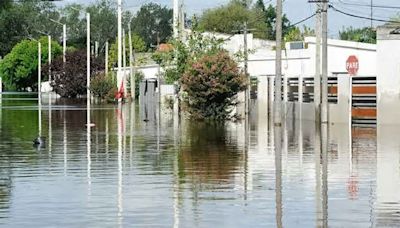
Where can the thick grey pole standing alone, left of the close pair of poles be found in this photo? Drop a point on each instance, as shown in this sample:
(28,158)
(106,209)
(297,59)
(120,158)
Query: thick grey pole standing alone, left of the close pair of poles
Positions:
(278,66)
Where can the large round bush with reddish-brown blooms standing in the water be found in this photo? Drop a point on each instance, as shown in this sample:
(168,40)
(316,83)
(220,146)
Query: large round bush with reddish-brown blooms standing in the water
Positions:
(211,84)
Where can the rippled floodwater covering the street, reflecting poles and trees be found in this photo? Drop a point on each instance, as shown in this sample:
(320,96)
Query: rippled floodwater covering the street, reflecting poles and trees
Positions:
(127,172)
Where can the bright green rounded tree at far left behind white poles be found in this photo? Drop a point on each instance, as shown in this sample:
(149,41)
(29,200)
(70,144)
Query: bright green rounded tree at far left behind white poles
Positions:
(19,67)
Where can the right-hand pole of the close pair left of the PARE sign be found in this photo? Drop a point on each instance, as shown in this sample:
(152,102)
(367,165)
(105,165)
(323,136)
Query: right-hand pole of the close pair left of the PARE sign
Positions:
(324,108)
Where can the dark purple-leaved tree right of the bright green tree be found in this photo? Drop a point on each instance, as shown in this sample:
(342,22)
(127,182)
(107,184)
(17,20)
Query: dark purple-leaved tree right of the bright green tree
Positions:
(70,79)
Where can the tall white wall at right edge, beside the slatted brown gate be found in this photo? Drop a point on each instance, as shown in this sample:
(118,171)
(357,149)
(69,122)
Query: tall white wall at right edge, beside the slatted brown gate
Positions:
(388,80)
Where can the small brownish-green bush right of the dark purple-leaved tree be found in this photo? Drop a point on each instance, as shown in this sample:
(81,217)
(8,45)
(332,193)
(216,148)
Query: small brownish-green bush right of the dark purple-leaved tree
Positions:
(101,86)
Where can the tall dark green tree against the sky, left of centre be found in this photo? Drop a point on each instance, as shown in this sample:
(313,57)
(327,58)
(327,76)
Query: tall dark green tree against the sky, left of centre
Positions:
(153,23)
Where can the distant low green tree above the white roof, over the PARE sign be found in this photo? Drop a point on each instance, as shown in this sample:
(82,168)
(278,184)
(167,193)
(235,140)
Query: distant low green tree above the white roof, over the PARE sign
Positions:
(364,35)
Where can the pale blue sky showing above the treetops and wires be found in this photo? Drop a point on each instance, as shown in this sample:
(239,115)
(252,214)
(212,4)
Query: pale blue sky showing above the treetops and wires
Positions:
(296,10)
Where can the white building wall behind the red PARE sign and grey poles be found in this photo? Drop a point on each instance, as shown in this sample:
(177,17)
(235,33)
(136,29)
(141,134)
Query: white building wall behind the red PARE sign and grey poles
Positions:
(302,61)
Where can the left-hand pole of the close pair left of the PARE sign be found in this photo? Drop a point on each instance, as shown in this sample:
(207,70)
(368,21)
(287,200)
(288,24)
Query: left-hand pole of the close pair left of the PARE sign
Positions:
(317,77)
